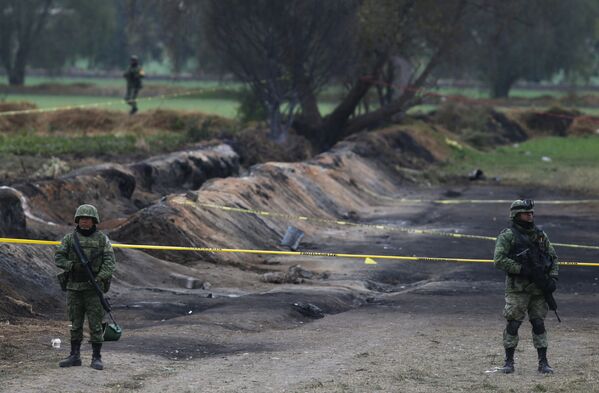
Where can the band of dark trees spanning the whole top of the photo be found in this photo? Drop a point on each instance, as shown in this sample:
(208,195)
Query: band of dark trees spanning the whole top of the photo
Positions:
(288,52)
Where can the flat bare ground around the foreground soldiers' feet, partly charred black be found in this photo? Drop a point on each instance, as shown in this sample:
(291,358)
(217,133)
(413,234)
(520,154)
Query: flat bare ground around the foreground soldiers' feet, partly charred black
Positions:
(390,327)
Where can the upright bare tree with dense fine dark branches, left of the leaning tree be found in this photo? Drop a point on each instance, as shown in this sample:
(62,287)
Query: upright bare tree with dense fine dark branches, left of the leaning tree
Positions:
(286,51)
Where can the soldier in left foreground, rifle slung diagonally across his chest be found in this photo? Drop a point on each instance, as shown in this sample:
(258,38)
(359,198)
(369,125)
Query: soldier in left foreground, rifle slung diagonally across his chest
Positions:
(82,300)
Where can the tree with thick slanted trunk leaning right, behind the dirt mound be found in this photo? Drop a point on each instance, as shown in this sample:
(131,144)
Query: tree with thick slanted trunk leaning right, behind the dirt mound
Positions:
(420,33)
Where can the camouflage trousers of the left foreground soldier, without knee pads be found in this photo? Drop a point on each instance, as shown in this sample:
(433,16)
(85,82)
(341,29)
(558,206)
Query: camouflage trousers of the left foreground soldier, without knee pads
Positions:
(81,304)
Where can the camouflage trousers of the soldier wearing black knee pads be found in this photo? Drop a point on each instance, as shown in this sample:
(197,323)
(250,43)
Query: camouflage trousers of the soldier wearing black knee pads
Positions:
(517,305)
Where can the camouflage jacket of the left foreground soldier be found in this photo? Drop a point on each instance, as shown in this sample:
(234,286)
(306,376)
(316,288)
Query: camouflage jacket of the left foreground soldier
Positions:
(99,253)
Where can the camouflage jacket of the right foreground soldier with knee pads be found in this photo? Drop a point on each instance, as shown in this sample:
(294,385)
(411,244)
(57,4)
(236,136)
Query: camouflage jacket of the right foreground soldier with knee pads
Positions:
(504,258)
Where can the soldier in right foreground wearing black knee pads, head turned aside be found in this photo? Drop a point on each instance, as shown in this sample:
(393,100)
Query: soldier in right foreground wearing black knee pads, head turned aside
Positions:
(522,295)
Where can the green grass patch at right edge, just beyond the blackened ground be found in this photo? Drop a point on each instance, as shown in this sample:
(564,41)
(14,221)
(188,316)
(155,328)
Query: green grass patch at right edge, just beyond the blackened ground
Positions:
(567,163)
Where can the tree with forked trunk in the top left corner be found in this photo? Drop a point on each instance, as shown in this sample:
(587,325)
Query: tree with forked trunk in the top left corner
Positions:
(21,23)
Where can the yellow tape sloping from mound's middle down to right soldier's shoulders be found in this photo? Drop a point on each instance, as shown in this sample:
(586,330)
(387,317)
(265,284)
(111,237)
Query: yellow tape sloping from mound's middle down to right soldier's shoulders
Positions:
(182,200)
